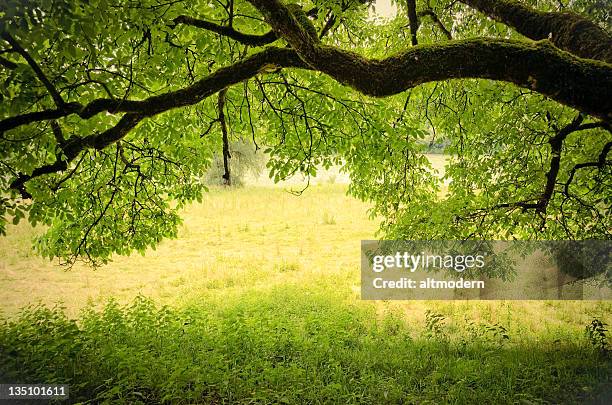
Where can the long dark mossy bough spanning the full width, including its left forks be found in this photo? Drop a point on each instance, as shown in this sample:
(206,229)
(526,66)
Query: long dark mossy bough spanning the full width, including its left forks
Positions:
(583,84)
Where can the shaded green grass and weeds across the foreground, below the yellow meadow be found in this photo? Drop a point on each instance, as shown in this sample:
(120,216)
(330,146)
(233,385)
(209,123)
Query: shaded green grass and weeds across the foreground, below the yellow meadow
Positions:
(285,347)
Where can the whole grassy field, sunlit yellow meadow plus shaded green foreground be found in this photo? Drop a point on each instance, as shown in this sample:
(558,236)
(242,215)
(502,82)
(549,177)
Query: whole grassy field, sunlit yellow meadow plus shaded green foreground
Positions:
(257,301)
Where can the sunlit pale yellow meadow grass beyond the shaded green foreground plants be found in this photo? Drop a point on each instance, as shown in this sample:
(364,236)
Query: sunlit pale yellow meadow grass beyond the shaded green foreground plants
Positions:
(251,239)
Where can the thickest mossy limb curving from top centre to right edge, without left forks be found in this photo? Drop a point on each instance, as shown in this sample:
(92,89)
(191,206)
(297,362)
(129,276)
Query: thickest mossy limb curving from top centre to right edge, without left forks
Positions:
(579,83)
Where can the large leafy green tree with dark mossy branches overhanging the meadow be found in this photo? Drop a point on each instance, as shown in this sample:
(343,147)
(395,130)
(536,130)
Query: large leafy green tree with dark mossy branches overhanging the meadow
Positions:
(109,120)
